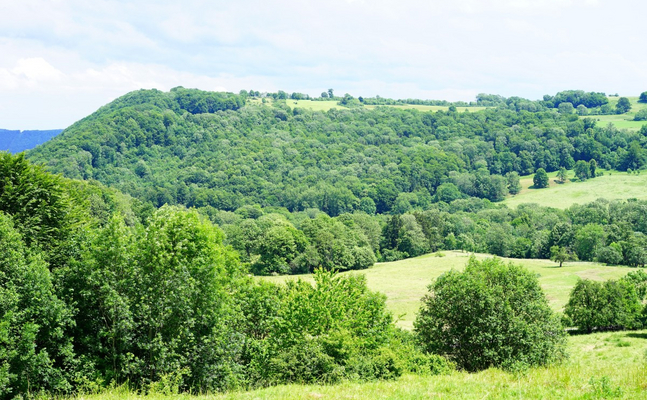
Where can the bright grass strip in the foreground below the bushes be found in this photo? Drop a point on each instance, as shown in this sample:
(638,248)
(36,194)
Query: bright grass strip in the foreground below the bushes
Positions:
(600,366)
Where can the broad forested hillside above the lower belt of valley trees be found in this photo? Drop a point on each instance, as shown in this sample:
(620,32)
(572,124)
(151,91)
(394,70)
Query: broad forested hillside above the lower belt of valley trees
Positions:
(214,151)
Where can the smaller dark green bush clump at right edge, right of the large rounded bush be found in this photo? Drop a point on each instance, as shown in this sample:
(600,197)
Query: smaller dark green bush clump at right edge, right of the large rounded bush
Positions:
(611,305)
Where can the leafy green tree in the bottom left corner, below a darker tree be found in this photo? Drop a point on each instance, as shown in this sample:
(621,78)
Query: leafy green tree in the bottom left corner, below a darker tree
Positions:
(36,353)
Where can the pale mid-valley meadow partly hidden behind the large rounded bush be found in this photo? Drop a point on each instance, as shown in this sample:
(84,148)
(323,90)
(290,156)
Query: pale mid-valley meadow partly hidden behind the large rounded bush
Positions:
(405,282)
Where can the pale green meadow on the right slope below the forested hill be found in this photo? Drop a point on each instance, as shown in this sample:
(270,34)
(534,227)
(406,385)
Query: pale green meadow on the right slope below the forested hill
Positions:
(612,185)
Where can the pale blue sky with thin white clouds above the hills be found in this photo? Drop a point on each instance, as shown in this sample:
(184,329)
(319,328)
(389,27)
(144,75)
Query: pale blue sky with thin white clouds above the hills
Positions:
(60,60)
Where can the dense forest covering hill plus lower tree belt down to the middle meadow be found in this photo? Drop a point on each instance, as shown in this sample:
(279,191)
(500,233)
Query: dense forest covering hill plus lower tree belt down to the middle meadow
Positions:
(295,189)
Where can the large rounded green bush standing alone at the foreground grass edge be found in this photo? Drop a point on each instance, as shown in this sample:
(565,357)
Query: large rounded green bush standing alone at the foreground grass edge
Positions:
(490,315)
